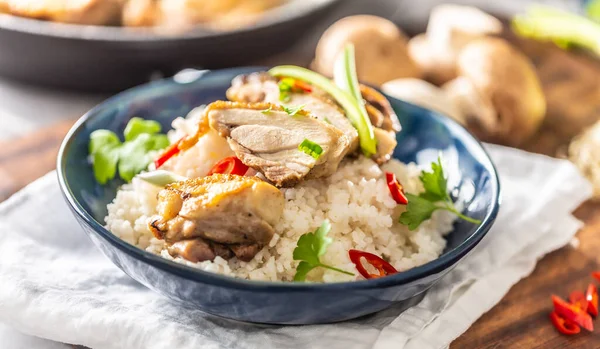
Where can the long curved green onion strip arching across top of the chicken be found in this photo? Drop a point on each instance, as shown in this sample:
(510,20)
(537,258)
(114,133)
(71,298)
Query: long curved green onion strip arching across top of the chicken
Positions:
(361,122)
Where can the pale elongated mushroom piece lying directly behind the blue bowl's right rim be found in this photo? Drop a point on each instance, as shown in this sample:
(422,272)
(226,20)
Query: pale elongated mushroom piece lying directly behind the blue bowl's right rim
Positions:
(424,94)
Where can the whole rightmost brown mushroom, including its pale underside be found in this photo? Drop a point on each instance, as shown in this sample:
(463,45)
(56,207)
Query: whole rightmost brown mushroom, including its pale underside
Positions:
(498,91)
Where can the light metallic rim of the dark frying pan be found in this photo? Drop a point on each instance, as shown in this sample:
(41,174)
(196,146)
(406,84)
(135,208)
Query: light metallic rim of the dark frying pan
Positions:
(288,11)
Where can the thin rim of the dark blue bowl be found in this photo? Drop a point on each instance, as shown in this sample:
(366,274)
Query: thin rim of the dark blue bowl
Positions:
(445,261)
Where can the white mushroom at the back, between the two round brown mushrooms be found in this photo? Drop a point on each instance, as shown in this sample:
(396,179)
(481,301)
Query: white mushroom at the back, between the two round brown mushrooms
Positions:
(449,30)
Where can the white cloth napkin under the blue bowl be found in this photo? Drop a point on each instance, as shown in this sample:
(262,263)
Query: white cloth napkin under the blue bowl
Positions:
(55,284)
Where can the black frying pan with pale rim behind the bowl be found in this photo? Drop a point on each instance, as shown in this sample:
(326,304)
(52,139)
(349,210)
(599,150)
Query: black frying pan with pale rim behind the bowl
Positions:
(107,59)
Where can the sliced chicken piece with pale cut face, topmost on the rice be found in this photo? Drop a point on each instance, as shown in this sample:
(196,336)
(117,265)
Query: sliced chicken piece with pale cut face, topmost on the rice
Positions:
(266,138)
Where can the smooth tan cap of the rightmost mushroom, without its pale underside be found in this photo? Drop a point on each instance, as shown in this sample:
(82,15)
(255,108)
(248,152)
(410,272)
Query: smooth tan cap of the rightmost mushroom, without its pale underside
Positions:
(504,77)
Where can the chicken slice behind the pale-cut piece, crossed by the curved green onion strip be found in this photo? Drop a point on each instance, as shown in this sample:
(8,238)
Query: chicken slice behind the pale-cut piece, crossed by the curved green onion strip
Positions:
(262,87)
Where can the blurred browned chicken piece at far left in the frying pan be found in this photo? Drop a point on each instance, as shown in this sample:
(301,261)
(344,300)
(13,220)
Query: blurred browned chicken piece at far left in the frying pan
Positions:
(94,12)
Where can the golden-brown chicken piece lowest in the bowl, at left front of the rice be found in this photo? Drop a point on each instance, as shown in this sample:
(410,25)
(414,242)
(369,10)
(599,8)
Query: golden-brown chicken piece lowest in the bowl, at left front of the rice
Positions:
(217,213)
